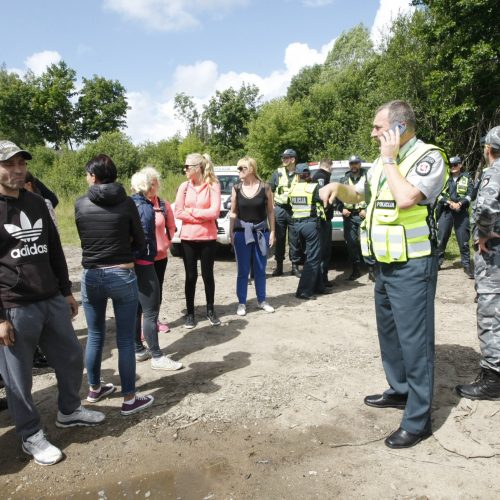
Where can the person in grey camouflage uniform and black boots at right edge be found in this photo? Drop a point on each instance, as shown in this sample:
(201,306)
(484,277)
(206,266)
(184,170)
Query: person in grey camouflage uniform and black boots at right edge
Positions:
(486,237)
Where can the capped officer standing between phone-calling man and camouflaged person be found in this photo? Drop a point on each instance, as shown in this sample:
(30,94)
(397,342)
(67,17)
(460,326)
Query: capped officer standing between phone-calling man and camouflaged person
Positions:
(453,212)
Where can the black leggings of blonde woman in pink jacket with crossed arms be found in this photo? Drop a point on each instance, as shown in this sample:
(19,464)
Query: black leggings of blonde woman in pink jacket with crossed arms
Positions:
(205,252)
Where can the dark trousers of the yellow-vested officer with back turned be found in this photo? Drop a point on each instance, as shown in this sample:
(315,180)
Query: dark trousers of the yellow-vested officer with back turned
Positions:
(311,280)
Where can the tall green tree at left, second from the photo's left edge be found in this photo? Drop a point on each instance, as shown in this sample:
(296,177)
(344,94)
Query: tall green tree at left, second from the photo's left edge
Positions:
(52,105)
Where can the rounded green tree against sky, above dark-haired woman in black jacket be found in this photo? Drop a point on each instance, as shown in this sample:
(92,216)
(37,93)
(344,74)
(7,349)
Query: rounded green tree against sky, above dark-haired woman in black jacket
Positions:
(101,107)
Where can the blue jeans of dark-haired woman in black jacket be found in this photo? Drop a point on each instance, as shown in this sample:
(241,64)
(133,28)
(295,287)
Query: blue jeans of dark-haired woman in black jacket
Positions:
(120,285)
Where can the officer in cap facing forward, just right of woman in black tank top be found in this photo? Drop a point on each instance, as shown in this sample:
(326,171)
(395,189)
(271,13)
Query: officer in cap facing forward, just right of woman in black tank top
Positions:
(281,182)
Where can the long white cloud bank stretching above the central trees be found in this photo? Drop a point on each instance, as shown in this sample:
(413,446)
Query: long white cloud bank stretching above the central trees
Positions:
(152,119)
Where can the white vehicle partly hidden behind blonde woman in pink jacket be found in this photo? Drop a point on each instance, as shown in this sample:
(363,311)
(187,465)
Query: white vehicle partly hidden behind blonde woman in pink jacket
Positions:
(228,177)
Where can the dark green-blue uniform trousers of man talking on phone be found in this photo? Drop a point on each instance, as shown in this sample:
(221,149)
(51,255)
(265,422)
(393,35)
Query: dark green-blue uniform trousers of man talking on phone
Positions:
(404,306)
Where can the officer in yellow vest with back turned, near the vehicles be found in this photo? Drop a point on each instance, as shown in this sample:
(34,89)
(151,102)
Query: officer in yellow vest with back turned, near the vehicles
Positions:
(307,208)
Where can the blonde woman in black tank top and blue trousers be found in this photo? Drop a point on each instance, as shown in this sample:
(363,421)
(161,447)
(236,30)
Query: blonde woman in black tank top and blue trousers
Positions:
(252,232)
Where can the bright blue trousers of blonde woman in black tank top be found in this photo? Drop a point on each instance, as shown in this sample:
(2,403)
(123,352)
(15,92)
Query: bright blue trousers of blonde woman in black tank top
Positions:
(244,255)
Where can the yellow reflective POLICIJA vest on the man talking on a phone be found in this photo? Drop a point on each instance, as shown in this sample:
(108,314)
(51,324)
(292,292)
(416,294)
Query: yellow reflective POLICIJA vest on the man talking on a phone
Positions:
(391,234)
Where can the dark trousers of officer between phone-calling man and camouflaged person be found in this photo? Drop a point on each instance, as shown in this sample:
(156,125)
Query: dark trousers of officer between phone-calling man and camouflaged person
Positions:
(460,221)
